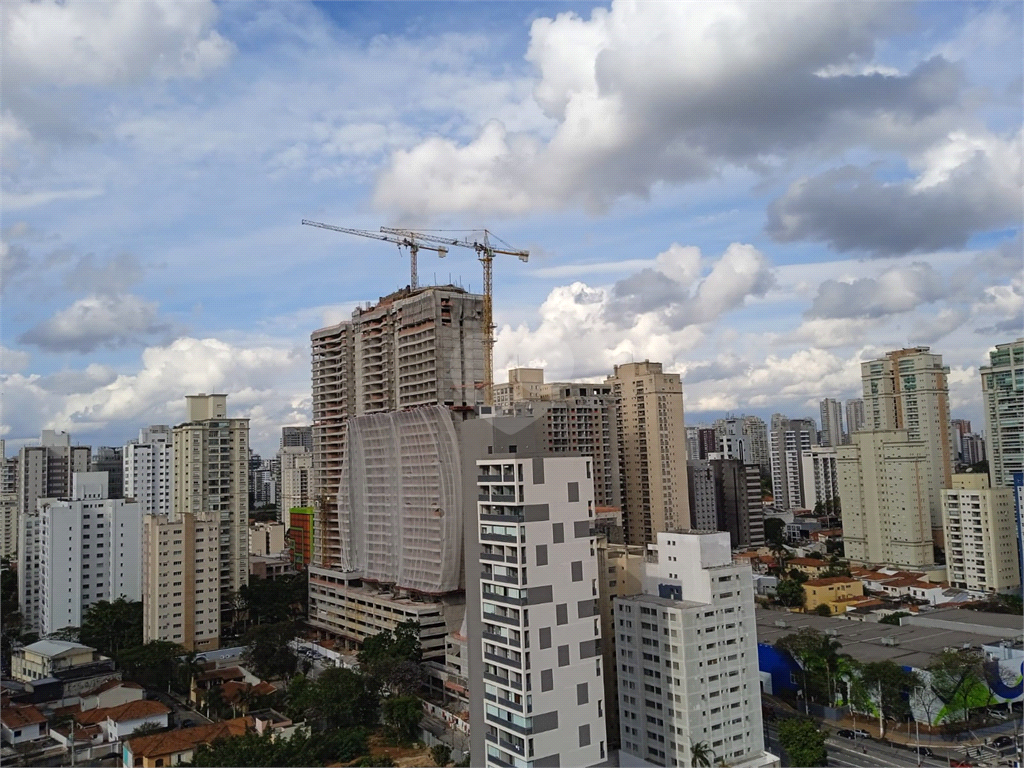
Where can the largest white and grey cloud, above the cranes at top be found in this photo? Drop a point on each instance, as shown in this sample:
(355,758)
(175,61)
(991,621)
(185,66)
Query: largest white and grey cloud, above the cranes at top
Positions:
(673,93)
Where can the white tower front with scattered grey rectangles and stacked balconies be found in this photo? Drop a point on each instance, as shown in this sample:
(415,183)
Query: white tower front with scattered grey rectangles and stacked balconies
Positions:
(542,644)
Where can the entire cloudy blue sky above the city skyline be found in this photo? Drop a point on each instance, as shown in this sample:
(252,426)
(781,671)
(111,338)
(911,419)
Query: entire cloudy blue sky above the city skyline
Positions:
(757,195)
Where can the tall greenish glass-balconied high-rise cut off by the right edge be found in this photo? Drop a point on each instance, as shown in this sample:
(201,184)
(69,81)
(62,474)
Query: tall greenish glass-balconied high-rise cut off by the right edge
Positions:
(1003,389)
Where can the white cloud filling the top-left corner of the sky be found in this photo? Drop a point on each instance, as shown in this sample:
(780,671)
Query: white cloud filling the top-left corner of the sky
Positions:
(79,42)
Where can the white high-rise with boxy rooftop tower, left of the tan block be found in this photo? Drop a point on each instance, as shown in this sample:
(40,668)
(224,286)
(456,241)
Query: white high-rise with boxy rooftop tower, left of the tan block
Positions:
(76,552)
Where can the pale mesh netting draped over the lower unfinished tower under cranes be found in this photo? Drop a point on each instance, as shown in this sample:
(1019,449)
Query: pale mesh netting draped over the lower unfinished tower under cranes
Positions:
(400,505)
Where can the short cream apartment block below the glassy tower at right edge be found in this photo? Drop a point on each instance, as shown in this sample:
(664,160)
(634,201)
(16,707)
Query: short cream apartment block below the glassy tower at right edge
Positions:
(980,533)
